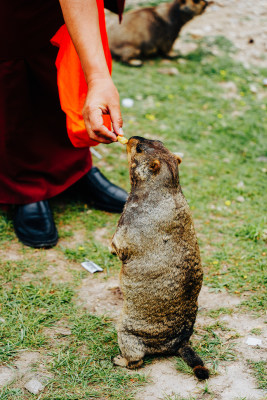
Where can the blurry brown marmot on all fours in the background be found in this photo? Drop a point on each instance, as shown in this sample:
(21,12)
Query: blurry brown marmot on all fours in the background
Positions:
(150,31)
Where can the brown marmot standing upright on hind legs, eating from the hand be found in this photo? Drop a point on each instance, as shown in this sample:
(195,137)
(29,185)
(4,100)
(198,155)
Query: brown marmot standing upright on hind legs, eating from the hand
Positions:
(161,272)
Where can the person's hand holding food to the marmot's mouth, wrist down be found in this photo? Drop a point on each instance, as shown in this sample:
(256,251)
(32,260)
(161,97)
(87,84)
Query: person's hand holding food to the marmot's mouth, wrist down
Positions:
(102,98)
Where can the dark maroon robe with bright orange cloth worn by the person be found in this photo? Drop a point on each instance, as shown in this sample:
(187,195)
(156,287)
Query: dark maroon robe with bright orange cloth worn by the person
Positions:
(43,151)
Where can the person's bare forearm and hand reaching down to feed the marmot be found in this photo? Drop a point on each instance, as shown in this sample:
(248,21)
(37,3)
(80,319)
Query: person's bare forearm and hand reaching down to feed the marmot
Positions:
(81,17)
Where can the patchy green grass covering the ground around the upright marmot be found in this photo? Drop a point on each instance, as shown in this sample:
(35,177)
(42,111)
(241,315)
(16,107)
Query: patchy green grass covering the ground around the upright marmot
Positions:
(222,138)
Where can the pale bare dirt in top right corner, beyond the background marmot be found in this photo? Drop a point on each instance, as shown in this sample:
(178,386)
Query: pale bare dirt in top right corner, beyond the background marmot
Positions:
(244,23)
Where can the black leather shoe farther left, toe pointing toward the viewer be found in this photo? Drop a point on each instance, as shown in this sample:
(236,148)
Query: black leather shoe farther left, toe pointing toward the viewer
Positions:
(34,225)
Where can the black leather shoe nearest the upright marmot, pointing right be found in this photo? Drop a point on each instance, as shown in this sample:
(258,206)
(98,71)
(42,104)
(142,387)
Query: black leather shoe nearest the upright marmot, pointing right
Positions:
(99,191)
